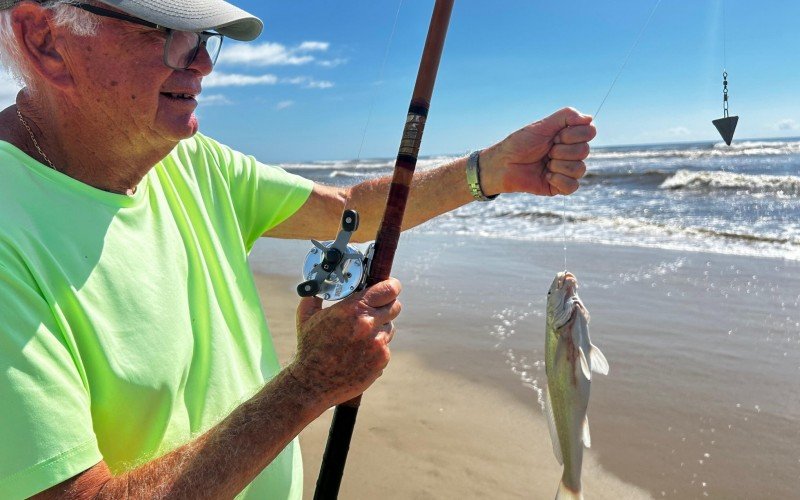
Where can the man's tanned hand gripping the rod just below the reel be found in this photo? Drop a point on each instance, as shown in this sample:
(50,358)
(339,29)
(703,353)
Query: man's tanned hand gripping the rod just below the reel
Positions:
(343,349)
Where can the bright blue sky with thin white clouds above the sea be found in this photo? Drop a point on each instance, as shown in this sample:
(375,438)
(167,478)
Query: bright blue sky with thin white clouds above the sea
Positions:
(304,89)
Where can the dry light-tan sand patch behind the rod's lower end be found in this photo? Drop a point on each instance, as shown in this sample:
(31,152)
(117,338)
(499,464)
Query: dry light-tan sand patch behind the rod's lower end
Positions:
(425,432)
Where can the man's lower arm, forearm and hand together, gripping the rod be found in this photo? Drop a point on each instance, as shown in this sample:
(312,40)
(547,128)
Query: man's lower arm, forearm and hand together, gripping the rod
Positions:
(341,351)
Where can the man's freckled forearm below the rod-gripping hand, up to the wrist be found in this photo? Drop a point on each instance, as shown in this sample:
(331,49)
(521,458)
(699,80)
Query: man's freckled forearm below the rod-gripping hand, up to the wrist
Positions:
(218,464)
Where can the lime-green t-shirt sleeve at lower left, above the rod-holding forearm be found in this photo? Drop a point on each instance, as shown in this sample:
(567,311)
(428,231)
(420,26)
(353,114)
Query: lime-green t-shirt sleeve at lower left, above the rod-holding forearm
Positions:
(46,433)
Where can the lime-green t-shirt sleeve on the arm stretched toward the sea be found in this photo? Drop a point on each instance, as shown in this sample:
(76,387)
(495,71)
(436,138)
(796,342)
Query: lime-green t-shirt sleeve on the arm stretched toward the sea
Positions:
(263,195)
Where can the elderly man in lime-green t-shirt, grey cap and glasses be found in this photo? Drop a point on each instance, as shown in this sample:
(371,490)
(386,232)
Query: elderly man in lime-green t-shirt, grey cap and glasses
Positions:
(135,360)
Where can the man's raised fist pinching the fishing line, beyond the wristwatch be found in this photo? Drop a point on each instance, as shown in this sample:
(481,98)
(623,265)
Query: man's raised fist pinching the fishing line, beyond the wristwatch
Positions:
(543,158)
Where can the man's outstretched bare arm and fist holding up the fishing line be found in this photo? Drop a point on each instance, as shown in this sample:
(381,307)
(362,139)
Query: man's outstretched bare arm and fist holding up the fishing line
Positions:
(544,158)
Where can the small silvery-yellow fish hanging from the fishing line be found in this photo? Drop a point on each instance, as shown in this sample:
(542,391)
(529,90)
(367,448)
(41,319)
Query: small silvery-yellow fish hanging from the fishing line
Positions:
(570,359)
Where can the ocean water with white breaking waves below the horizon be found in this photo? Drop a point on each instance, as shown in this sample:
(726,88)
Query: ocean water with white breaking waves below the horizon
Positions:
(742,199)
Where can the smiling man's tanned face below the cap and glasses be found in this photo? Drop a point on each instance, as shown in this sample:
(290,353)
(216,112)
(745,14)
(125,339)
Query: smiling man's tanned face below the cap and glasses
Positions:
(121,81)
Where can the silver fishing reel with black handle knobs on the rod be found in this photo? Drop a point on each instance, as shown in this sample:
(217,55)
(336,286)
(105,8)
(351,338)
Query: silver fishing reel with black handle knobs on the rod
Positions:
(335,269)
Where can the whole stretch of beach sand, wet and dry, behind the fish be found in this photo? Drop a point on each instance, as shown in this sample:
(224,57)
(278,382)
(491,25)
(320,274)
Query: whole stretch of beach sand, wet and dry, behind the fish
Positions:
(701,400)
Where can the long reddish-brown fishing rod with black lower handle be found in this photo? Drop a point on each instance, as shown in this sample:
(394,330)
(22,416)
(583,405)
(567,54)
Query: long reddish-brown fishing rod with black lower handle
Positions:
(335,456)
